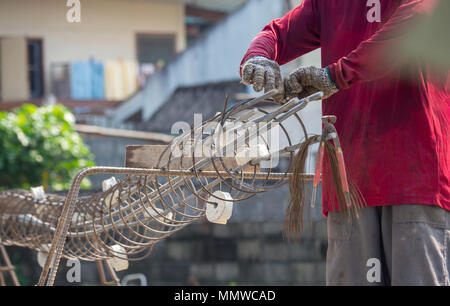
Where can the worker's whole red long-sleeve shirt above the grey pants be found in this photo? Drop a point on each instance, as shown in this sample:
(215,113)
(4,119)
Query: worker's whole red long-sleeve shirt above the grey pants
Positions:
(393,120)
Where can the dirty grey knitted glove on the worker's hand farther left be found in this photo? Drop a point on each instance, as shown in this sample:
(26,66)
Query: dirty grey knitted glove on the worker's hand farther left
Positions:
(263,73)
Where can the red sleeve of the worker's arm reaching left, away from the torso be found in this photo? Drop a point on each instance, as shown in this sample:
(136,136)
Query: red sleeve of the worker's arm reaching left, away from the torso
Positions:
(289,37)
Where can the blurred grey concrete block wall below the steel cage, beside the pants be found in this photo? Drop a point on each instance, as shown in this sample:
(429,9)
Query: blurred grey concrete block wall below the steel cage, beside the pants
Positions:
(249,250)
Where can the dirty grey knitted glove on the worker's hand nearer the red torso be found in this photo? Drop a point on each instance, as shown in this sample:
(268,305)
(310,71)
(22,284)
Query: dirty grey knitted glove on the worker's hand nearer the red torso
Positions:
(306,81)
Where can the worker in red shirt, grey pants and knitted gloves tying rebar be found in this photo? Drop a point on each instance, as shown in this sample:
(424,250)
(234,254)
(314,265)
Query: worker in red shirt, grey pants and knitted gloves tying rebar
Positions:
(394,126)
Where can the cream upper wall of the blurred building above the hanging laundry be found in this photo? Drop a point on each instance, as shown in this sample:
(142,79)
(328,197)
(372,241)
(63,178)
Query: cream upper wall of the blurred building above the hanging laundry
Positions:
(107,29)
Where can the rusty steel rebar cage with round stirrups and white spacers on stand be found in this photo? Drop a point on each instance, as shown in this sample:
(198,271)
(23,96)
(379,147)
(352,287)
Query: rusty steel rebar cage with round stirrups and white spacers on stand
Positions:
(201,174)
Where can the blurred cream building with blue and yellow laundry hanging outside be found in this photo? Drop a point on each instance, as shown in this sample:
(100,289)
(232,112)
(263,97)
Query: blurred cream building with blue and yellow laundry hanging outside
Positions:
(42,51)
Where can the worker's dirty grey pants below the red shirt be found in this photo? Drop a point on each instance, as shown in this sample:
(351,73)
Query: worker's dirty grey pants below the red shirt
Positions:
(390,245)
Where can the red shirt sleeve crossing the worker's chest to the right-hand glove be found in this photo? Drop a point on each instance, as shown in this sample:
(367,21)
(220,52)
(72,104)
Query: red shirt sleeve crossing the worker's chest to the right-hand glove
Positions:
(373,58)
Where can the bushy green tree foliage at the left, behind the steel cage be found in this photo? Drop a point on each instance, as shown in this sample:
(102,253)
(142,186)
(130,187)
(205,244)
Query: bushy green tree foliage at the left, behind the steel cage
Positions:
(38,146)
